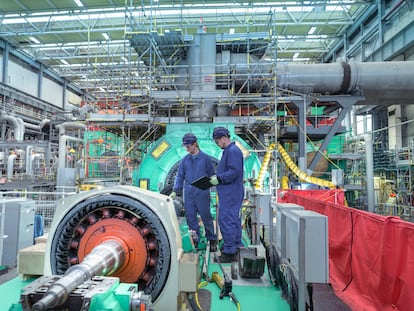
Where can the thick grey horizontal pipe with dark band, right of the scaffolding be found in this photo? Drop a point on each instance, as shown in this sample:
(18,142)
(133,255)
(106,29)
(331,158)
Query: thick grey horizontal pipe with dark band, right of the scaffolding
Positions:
(378,82)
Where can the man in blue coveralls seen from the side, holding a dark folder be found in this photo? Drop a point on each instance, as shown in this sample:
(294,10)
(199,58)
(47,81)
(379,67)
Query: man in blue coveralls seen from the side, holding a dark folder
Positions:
(230,189)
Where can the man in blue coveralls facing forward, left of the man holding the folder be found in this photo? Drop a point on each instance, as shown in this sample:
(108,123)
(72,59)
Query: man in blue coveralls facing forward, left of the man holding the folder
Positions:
(194,165)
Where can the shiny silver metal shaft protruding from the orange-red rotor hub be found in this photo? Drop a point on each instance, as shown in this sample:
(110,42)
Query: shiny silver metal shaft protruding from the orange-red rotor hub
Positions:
(104,259)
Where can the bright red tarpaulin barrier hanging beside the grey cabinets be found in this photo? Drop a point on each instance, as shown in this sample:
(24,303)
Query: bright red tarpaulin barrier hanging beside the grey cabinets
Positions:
(371,257)
